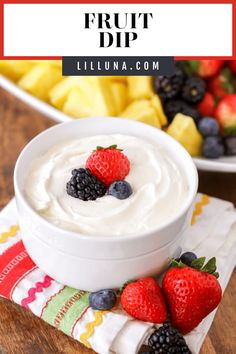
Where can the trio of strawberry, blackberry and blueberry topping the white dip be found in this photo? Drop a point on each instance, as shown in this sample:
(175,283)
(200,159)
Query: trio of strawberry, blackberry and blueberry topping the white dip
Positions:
(105,171)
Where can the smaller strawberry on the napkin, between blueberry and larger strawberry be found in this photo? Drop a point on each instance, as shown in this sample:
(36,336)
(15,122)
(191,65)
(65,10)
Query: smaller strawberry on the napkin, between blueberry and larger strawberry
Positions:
(143,300)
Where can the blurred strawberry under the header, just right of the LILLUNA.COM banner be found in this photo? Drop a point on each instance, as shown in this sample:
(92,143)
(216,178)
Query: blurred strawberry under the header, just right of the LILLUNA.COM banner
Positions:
(203,68)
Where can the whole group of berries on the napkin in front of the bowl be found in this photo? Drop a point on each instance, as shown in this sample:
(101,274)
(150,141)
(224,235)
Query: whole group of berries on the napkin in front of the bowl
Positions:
(190,291)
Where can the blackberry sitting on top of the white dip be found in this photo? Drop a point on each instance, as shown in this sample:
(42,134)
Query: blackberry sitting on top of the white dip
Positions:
(84,185)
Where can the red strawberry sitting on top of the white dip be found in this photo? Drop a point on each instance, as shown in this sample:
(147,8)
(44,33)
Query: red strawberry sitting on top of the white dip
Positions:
(108,164)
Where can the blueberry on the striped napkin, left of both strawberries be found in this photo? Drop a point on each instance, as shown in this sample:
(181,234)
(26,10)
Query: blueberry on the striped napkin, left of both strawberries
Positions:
(103,299)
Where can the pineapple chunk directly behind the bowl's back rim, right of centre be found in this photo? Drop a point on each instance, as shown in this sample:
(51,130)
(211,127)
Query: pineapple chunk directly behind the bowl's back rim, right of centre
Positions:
(142,111)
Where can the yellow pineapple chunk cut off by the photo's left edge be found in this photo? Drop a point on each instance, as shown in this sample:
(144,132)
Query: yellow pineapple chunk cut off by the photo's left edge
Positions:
(15,69)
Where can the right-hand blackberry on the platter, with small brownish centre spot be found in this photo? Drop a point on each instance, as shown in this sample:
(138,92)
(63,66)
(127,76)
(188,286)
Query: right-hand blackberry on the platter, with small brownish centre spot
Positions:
(194,90)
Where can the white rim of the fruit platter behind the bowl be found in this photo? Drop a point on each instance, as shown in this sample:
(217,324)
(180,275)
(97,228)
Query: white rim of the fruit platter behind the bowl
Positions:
(224,164)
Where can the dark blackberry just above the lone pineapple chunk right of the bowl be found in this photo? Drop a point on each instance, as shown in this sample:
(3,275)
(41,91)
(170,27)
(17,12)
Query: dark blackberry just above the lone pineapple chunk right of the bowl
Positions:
(173,107)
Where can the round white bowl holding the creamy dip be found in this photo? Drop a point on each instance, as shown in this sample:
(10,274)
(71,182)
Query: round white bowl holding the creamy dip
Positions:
(96,262)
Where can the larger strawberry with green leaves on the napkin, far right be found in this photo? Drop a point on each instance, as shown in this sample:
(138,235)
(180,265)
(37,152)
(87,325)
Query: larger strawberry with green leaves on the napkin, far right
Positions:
(191,292)
